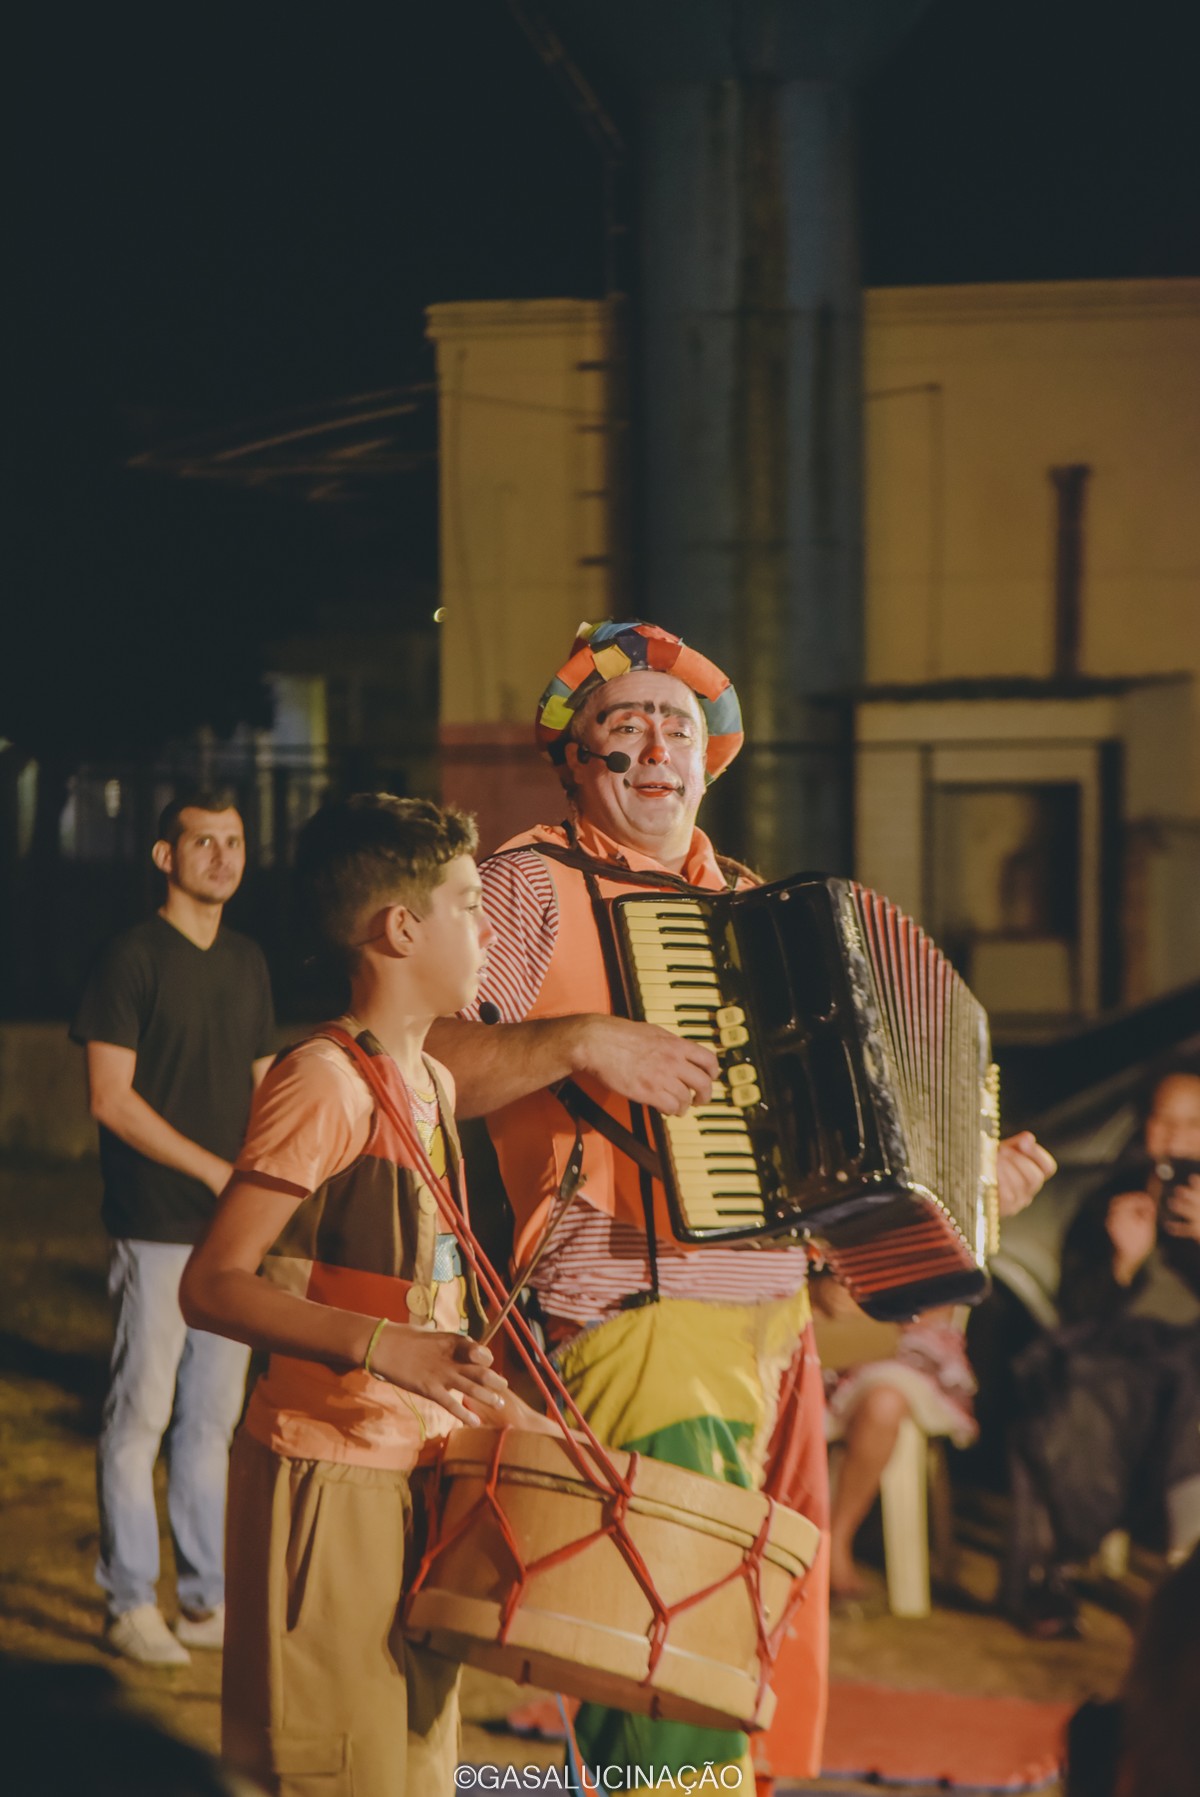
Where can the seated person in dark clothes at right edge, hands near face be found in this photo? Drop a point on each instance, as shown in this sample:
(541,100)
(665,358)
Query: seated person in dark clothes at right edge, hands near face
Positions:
(1111,1401)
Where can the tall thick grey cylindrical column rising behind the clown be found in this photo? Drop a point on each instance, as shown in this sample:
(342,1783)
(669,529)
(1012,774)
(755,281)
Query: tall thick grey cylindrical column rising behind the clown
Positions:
(750,380)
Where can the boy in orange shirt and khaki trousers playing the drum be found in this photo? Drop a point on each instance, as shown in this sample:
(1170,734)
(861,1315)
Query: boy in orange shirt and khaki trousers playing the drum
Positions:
(331,1253)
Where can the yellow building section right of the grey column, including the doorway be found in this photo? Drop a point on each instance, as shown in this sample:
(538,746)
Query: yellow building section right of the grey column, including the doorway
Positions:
(1028,748)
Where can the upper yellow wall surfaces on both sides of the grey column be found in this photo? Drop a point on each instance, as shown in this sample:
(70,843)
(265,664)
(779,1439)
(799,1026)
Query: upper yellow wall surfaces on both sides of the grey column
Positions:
(973,394)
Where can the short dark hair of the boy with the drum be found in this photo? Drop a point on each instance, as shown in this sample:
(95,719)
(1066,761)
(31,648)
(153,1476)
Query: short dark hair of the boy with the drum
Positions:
(375,849)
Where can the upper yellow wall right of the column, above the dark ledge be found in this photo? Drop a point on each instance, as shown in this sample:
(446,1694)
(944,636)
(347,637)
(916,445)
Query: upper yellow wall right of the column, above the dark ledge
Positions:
(973,394)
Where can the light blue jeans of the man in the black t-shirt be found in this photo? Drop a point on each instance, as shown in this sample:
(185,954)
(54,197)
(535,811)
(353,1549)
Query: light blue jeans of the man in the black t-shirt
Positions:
(177,1383)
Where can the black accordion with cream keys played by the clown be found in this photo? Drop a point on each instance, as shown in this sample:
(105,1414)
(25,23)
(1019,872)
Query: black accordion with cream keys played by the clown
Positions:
(858,1104)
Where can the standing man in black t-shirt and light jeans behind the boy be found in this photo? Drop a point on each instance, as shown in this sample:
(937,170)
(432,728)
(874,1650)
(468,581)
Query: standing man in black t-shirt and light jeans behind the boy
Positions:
(179,1029)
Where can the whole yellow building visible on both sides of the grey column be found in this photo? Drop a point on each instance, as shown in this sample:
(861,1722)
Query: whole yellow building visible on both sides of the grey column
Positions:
(1027,743)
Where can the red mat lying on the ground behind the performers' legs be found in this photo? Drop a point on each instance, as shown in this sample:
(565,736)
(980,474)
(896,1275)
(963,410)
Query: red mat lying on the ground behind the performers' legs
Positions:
(984,1744)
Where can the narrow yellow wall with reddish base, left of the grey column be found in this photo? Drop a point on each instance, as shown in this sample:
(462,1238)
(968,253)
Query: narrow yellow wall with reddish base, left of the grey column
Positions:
(525,535)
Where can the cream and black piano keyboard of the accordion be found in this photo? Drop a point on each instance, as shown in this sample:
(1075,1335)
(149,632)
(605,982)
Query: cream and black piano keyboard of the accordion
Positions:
(671,955)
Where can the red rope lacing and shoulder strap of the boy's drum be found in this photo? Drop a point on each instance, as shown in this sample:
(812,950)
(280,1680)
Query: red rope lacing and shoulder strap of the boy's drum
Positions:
(596,1467)
